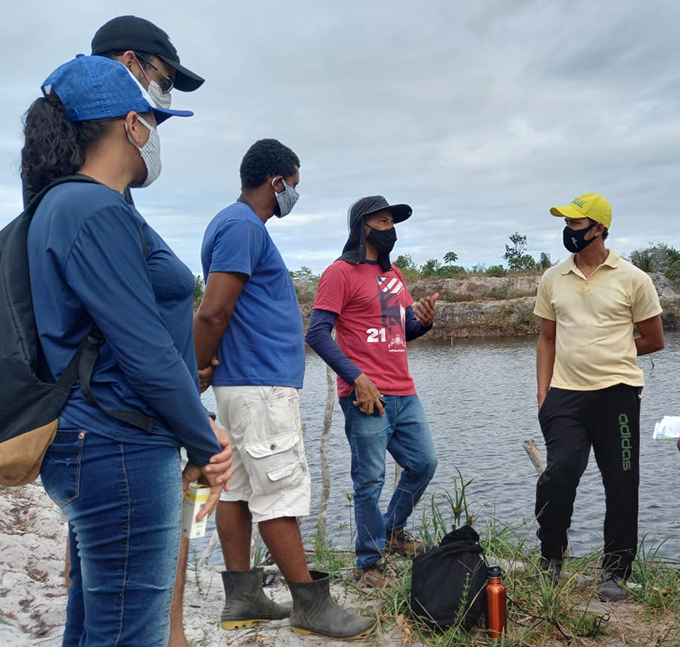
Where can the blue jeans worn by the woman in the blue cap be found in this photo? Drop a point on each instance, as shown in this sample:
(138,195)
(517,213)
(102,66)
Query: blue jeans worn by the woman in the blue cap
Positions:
(123,504)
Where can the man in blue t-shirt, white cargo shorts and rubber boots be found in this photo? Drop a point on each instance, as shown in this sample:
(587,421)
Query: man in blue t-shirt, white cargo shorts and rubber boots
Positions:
(251,319)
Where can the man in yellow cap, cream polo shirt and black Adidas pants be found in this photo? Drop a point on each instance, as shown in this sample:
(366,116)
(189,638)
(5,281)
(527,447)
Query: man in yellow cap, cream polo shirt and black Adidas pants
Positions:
(589,385)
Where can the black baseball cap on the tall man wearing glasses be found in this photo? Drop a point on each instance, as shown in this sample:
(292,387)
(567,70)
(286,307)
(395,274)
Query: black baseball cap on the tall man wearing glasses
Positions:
(130,32)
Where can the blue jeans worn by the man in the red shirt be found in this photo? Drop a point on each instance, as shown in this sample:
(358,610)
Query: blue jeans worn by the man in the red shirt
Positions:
(405,433)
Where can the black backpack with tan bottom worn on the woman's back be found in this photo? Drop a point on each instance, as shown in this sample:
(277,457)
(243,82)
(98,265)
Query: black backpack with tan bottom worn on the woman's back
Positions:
(29,406)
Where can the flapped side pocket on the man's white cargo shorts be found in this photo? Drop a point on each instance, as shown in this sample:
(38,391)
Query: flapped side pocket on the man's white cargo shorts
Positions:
(275,463)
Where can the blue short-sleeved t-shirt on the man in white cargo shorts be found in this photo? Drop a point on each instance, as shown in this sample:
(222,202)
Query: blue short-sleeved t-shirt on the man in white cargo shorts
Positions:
(263,344)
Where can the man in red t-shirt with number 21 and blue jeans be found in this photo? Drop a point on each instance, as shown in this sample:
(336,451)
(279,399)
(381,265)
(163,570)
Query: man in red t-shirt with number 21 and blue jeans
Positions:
(365,298)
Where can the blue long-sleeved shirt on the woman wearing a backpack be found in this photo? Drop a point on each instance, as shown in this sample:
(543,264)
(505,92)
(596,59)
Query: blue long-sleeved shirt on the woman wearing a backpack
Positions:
(87,265)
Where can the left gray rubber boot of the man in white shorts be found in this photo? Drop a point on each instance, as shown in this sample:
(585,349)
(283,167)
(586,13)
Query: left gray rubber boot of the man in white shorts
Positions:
(246,602)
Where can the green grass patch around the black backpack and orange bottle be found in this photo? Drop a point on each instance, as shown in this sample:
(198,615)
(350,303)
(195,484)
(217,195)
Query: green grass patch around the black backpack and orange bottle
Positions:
(538,613)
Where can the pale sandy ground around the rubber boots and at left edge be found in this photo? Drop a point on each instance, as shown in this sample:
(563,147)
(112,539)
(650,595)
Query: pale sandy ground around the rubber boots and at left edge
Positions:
(33,595)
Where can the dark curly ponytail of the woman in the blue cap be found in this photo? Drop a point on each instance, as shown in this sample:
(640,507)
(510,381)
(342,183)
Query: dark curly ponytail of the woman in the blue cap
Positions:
(53,146)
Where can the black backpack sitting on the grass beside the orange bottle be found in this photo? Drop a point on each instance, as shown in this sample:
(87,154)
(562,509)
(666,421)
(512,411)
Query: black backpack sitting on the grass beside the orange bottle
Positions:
(448,585)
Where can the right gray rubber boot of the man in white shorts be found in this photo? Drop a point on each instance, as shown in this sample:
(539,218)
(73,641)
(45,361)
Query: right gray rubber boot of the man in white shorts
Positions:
(314,612)
